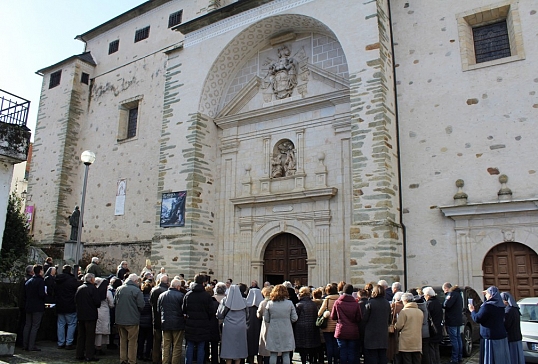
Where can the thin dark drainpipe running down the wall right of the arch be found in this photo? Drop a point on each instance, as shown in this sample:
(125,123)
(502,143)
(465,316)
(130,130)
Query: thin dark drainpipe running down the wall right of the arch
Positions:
(397,121)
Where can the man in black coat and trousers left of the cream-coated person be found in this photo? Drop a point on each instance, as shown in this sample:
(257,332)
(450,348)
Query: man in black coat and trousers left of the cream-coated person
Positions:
(88,301)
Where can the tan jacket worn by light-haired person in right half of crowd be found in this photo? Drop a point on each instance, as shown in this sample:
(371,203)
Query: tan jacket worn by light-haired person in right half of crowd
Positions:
(409,325)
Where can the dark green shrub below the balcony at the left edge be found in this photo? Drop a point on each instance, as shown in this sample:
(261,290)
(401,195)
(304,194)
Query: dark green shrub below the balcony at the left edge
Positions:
(16,240)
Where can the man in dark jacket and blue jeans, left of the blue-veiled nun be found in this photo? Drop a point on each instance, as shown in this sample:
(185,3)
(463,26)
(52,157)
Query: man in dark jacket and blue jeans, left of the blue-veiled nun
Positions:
(453,306)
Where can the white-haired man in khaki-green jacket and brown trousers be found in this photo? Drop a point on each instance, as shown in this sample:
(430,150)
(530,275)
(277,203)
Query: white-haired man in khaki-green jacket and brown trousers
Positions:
(129,301)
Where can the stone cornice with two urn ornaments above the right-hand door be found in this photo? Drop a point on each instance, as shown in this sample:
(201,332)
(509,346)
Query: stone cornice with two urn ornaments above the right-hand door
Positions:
(489,208)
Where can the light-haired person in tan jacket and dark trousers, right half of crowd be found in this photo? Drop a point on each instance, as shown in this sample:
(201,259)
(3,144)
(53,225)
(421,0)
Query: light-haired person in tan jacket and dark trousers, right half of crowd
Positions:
(409,325)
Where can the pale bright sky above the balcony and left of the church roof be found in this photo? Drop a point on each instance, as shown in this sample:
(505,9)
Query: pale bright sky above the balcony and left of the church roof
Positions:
(35,34)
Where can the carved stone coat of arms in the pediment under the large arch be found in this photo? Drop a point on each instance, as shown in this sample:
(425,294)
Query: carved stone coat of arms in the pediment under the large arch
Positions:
(282,74)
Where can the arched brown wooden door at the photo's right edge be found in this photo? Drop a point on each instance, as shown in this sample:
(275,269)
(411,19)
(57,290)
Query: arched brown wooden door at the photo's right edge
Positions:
(512,267)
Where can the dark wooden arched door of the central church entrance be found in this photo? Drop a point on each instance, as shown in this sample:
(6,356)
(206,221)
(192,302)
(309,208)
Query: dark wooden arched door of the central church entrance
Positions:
(285,260)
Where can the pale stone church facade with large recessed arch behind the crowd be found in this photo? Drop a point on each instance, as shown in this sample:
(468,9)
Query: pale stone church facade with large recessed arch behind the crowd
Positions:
(301,140)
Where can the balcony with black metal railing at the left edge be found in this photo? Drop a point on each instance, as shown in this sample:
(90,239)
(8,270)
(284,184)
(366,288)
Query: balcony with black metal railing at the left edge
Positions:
(14,135)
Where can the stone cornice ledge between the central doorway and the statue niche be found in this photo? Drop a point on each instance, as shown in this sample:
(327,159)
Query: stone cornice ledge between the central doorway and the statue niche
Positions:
(297,196)
